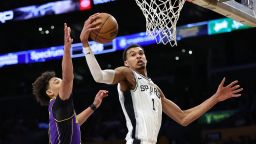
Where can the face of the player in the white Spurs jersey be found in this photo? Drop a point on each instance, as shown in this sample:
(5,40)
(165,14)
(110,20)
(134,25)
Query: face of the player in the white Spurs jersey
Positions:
(136,58)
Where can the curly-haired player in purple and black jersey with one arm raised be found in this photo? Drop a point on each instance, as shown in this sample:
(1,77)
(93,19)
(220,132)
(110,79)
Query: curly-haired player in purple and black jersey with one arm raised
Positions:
(64,124)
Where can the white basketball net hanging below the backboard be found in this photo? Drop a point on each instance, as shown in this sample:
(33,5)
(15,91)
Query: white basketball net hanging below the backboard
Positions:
(161,19)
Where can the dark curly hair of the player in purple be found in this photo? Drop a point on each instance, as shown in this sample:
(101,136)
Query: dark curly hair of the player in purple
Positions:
(40,85)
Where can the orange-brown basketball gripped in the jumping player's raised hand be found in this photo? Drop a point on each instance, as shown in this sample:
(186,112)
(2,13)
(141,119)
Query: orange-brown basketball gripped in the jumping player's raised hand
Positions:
(108,29)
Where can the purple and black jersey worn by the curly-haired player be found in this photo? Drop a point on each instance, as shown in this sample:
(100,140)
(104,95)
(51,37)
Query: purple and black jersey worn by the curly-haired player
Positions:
(63,127)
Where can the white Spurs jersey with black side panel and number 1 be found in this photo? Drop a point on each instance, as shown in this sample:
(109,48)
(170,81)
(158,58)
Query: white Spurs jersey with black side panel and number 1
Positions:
(142,108)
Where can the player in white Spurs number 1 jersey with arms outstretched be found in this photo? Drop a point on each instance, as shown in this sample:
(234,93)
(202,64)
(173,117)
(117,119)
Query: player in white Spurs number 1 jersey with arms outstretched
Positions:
(143,101)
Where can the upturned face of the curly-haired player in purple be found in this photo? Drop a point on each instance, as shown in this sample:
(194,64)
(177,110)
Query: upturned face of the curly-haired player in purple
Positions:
(54,86)
